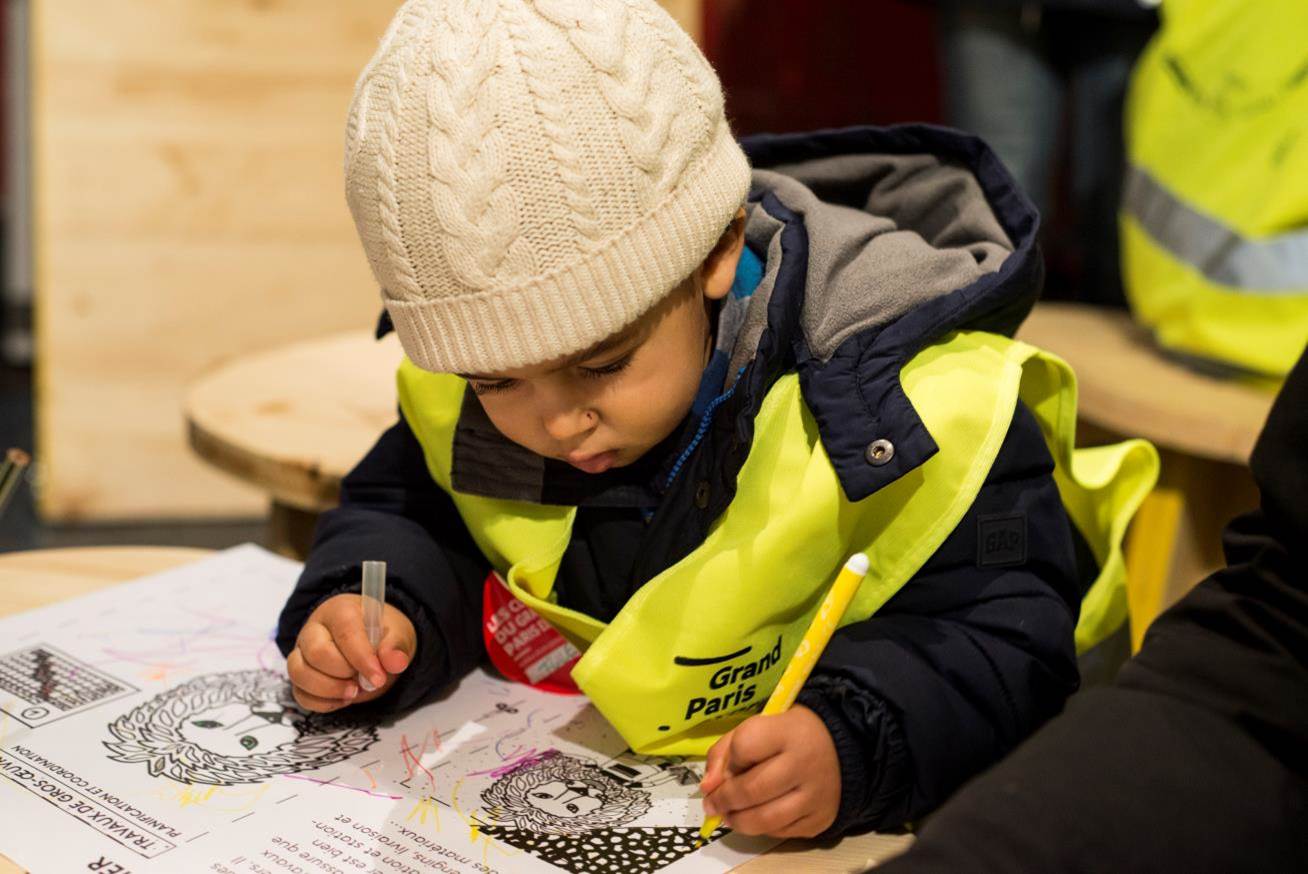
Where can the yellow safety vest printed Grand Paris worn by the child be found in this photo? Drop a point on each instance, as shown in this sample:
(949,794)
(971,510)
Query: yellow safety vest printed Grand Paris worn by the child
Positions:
(702,646)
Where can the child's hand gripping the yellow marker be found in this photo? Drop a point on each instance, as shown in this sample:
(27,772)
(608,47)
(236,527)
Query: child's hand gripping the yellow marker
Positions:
(775,775)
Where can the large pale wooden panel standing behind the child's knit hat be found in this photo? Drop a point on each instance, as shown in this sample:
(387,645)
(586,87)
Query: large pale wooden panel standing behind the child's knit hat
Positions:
(188,209)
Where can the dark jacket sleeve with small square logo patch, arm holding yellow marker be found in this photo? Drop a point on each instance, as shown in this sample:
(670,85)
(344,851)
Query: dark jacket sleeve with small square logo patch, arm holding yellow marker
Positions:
(966,660)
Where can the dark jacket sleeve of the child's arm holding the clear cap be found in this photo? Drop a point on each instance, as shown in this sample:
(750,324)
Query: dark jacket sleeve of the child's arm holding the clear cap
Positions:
(393,511)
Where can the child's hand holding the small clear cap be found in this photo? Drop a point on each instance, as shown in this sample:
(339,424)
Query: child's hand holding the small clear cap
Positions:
(333,663)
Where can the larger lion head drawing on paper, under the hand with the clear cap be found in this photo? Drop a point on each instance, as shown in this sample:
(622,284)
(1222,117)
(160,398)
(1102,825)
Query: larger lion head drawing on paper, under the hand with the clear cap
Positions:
(233,728)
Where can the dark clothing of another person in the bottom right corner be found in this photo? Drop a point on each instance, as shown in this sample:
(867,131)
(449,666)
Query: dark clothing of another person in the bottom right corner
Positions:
(1197,758)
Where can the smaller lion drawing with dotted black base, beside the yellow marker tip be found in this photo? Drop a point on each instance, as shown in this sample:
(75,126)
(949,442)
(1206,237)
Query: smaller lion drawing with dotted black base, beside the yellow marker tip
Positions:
(577,814)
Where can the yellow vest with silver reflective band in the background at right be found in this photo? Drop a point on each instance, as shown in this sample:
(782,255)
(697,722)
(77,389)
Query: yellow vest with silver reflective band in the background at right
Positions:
(1214,215)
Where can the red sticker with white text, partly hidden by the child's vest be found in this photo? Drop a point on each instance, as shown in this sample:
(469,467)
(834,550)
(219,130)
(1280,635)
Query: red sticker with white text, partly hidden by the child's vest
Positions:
(523,646)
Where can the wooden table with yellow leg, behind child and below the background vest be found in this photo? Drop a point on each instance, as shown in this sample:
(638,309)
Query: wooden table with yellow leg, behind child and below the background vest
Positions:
(1204,427)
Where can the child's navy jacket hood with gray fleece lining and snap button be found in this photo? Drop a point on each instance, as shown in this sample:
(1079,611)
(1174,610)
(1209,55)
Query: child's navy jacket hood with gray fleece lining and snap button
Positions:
(876,244)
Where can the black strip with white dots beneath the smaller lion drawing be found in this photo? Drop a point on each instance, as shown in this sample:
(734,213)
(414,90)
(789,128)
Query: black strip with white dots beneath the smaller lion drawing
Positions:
(606,851)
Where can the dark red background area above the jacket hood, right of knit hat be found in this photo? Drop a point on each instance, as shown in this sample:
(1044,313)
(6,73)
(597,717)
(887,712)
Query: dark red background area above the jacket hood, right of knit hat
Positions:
(799,66)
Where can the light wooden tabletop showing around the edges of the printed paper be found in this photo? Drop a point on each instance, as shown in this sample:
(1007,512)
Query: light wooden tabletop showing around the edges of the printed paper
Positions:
(41,578)
